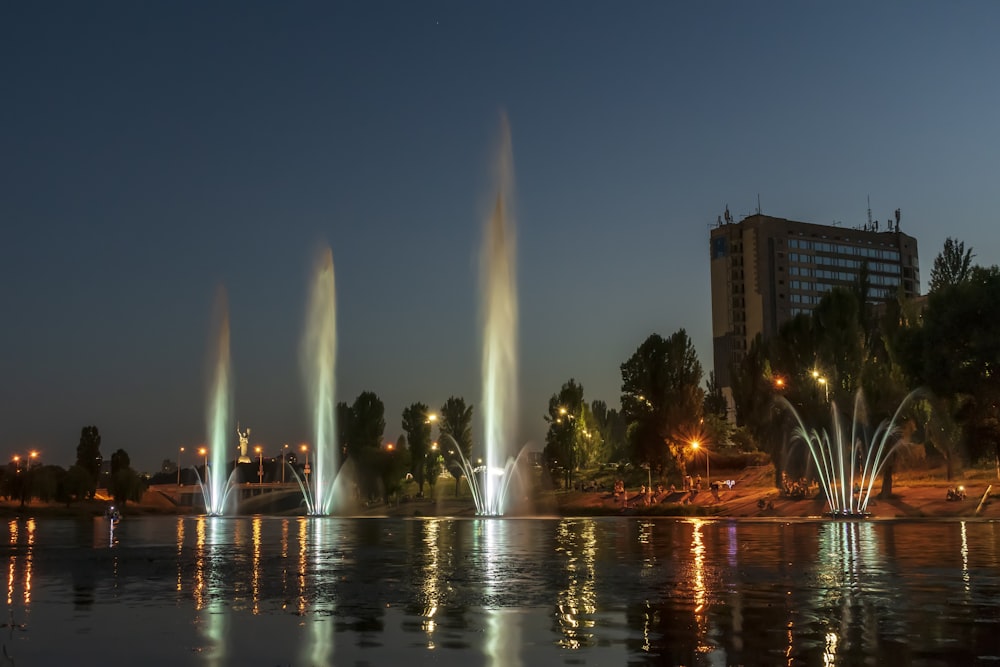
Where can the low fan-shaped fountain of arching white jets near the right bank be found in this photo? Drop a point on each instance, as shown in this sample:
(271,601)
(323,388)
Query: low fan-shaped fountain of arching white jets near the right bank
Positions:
(848,462)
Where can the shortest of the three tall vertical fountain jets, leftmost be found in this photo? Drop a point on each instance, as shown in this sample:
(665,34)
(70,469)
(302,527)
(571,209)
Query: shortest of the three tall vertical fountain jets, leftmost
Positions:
(215,485)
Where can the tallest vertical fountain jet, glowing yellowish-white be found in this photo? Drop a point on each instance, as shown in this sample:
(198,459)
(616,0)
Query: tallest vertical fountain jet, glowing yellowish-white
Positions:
(499,321)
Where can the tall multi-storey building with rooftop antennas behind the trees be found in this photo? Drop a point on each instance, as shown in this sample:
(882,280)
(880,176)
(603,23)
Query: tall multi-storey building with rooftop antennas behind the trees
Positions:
(766,270)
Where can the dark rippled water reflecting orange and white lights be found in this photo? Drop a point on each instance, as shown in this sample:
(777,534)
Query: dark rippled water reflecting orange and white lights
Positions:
(605,591)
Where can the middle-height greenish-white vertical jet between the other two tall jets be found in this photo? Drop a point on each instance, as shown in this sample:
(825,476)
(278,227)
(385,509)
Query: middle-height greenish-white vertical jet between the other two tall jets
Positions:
(319,358)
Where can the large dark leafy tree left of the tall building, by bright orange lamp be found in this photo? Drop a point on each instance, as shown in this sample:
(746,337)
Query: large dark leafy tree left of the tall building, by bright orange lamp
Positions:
(662,399)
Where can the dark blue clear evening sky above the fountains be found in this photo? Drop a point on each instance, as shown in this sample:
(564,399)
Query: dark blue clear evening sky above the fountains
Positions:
(151,152)
